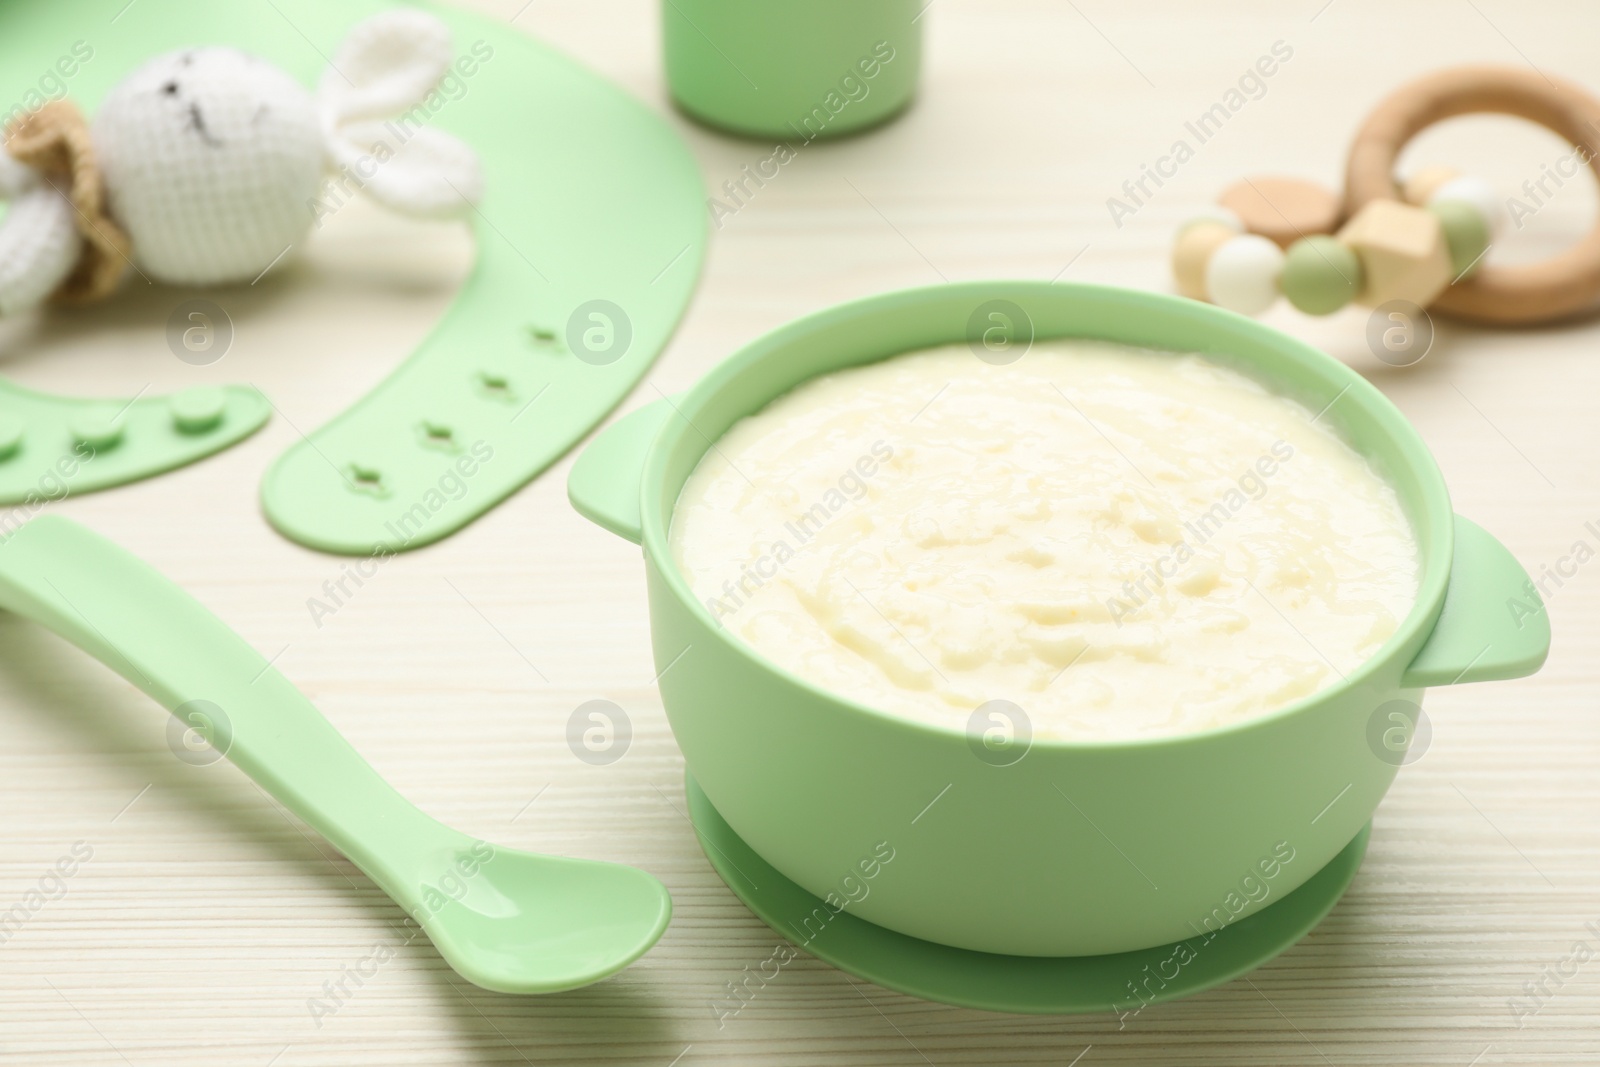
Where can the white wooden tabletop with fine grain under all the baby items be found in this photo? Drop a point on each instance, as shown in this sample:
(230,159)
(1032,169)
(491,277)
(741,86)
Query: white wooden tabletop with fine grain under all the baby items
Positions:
(207,919)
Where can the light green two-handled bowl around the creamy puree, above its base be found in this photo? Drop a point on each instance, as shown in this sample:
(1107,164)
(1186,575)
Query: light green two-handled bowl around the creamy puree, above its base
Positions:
(1078,849)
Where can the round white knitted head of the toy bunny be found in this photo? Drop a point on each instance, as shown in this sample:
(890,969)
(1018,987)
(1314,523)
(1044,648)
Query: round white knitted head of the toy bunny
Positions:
(210,158)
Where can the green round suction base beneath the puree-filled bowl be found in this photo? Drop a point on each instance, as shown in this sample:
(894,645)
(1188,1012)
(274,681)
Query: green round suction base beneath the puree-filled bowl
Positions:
(1020,985)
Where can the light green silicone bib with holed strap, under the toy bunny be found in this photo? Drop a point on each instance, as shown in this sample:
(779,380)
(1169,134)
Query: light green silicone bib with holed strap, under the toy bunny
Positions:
(591,234)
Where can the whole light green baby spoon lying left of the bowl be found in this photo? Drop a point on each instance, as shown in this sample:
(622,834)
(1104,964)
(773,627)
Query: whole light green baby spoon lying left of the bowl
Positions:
(508,921)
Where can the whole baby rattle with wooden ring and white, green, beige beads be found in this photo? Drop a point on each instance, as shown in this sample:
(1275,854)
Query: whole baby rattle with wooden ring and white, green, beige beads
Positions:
(1423,242)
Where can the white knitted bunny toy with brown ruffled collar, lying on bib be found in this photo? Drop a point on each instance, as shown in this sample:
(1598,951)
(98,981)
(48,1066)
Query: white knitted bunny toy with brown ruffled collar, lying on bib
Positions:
(212,162)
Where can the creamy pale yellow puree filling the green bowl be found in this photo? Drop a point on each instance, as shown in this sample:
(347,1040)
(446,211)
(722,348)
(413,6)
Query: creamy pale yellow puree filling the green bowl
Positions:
(1122,543)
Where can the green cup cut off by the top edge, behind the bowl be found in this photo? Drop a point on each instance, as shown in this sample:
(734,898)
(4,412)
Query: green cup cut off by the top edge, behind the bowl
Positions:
(793,70)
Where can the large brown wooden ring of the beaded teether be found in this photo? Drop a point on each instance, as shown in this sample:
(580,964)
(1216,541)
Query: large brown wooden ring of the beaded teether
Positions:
(1554,289)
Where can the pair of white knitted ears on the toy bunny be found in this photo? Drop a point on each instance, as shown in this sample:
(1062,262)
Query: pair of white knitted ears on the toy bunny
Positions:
(386,70)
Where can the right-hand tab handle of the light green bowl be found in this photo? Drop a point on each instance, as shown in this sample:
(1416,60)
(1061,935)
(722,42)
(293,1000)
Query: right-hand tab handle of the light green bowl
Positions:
(1494,623)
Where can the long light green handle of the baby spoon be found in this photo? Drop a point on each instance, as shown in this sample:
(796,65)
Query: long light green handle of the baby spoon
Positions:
(127,615)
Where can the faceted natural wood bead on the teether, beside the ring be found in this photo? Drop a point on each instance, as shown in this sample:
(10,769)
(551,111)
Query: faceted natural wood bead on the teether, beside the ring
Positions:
(1402,250)
